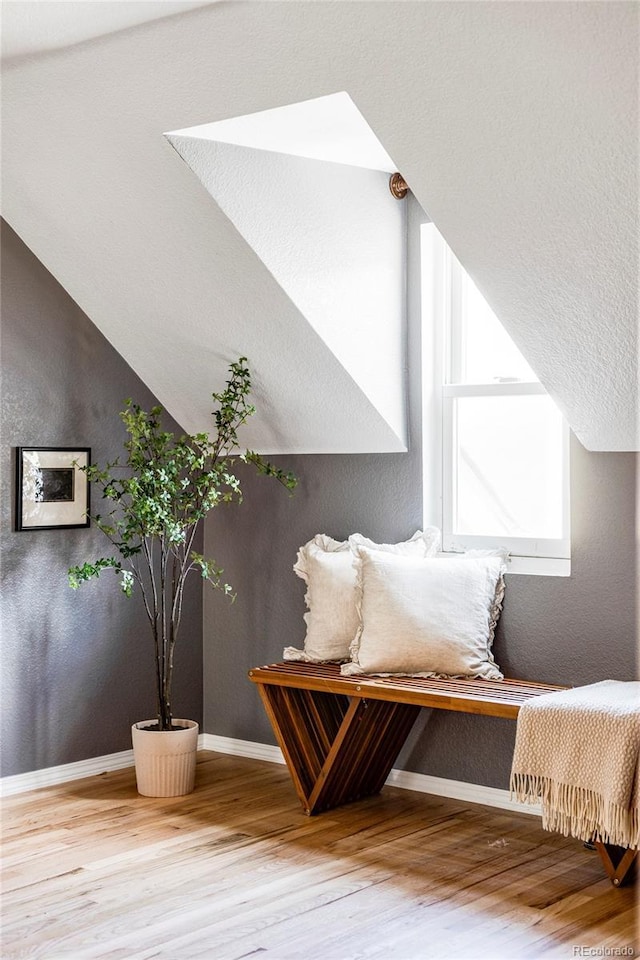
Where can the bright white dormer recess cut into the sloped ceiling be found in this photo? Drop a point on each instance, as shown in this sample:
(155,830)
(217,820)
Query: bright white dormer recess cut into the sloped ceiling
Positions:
(299,184)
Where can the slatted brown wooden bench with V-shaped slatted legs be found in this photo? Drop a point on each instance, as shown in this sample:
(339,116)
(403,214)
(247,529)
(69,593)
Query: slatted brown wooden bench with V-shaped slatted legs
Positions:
(340,736)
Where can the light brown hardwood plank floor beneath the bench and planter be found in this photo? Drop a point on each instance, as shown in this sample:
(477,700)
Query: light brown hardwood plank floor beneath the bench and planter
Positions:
(92,870)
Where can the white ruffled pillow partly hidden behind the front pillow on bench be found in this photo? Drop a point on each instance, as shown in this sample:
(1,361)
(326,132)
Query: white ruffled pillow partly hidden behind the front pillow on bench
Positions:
(327,567)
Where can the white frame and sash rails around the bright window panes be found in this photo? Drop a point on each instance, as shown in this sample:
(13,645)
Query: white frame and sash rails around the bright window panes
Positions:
(441,293)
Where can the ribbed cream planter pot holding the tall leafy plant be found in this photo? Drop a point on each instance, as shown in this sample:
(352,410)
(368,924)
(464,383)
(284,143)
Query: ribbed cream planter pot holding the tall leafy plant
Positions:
(165,759)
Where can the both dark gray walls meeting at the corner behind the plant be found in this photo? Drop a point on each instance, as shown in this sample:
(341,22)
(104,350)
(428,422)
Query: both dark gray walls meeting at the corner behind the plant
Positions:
(75,667)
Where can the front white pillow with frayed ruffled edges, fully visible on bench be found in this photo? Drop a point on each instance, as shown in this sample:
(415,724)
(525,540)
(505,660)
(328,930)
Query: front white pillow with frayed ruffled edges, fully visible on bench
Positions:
(426,616)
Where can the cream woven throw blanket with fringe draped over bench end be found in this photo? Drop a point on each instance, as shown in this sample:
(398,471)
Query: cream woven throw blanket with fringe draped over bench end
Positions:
(577,751)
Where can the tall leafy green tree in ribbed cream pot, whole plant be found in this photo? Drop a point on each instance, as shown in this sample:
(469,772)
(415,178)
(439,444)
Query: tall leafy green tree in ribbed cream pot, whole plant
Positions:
(157,498)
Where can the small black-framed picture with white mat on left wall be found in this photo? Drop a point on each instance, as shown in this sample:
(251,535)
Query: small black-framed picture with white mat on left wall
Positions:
(52,491)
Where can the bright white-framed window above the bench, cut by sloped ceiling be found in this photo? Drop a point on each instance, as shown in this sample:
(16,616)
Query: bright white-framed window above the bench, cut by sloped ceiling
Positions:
(499,444)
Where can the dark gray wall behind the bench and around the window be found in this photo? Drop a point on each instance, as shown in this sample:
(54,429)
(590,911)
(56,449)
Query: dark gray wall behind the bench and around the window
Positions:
(572,631)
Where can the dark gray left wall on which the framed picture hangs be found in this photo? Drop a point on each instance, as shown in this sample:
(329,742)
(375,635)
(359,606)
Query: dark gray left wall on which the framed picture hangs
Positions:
(77,667)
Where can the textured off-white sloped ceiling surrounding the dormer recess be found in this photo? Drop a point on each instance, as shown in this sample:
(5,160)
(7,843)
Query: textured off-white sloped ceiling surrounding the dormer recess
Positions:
(514,123)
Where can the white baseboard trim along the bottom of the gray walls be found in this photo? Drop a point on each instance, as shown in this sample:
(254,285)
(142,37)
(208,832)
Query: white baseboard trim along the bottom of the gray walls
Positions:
(420,782)
